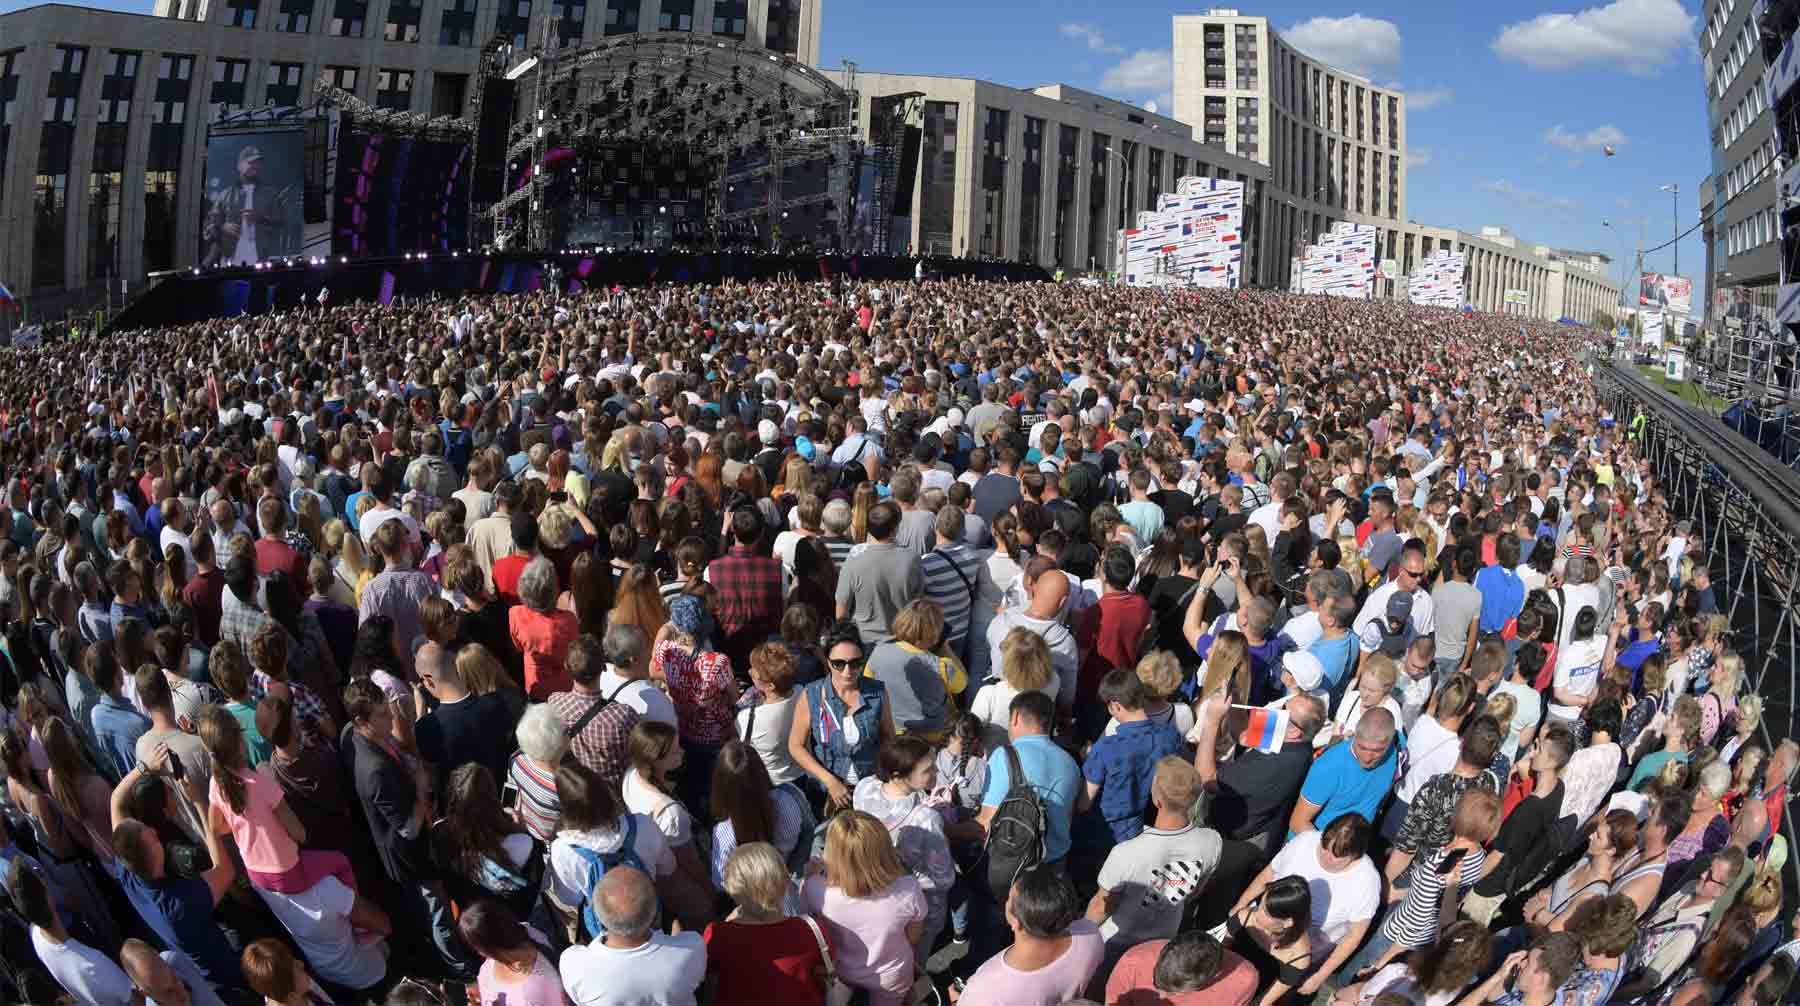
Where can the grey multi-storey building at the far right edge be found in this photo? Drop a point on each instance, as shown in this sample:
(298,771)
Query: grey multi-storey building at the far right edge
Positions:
(1743,237)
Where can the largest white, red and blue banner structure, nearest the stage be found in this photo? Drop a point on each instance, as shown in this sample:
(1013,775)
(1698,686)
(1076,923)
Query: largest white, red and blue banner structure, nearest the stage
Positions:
(1194,238)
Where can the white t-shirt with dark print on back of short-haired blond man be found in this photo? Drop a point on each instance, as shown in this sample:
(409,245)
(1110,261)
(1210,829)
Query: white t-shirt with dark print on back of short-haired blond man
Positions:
(1153,877)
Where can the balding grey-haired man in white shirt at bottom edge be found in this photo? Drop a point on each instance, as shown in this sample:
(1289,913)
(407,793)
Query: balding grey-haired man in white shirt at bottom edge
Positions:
(633,962)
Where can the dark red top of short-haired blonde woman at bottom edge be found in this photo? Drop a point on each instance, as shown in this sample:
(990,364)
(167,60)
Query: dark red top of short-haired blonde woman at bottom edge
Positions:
(766,964)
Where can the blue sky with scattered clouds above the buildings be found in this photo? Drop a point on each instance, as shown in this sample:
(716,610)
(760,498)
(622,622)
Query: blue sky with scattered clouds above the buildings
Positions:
(1509,103)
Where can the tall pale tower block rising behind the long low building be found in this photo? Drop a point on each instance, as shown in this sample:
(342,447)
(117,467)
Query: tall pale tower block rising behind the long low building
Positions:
(1335,143)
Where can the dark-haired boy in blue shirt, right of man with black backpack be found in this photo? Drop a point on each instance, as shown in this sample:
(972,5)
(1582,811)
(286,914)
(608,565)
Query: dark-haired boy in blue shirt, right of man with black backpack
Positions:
(1122,766)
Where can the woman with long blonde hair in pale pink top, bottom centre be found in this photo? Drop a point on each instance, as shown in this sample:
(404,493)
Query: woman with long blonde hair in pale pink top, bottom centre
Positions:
(872,908)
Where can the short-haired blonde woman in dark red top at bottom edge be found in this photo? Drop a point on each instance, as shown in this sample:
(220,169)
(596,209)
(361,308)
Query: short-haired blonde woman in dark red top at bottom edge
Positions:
(762,953)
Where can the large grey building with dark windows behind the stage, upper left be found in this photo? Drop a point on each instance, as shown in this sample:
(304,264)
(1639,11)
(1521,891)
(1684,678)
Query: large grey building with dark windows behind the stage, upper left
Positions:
(103,116)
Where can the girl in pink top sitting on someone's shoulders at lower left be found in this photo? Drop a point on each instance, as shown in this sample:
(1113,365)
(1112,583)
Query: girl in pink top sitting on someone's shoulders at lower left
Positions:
(253,807)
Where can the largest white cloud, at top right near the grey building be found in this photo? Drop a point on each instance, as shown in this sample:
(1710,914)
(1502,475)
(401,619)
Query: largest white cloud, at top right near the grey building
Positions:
(1637,37)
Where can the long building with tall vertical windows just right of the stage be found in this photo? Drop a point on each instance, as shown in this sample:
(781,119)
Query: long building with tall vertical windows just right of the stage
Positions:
(1050,175)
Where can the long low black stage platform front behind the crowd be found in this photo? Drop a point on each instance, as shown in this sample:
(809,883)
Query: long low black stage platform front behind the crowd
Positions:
(193,296)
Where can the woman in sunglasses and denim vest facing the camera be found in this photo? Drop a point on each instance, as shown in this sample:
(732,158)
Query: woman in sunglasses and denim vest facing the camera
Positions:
(841,723)
